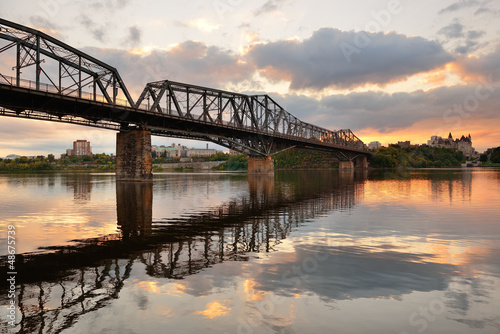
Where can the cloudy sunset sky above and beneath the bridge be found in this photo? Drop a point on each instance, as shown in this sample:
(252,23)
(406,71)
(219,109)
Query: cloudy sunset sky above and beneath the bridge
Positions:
(389,70)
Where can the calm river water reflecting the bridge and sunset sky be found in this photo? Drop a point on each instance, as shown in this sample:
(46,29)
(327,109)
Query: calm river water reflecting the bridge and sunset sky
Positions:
(301,252)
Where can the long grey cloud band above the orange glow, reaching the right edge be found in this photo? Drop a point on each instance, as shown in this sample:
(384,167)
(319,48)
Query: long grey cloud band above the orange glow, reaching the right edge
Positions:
(385,112)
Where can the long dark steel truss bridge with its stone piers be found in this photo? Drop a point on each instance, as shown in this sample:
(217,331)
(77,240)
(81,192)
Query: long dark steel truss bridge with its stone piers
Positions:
(53,81)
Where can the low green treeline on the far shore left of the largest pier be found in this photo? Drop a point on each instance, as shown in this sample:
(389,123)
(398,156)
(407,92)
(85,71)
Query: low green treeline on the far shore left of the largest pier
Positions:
(40,163)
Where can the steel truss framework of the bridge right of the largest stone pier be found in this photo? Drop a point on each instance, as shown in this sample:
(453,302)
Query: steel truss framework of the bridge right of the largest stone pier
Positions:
(257,114)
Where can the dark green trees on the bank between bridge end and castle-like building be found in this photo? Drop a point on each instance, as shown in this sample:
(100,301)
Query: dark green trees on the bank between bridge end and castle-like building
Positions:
(418,157)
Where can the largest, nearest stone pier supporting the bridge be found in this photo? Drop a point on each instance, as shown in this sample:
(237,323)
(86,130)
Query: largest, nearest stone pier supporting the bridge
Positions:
(133,156)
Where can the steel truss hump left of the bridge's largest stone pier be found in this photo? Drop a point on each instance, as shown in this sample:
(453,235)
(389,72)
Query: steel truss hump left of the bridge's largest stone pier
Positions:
(69,71)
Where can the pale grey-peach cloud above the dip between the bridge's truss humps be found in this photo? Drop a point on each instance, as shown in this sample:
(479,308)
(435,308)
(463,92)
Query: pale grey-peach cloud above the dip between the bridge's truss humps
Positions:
(192,62)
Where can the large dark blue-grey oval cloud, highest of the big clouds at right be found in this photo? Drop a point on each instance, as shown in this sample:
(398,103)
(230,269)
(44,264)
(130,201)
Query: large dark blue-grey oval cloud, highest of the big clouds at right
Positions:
(321,61)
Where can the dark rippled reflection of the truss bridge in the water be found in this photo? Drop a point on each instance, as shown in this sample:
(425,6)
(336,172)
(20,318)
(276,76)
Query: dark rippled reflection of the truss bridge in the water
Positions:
(61,286)
